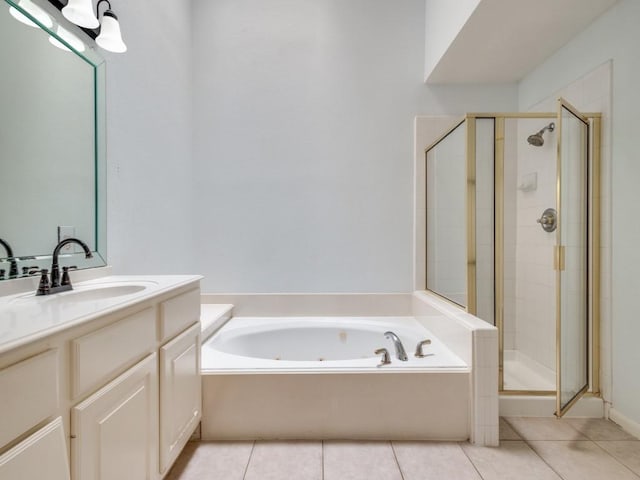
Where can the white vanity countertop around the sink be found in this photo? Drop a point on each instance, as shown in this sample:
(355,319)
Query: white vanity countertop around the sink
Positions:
(25,318)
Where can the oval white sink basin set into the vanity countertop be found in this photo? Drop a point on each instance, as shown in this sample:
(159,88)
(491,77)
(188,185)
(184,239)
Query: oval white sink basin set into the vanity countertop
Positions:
(87,293)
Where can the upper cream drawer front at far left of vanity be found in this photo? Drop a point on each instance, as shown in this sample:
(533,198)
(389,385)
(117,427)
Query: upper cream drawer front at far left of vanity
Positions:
(28,394)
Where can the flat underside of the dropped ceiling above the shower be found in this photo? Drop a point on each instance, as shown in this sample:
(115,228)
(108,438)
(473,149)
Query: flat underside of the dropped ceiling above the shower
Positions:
(503,40)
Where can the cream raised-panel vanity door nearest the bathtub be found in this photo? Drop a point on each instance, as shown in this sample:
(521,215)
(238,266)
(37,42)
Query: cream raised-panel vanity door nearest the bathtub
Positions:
(180,393)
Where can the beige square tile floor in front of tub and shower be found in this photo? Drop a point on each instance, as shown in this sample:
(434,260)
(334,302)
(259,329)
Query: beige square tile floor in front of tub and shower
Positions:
(530,448)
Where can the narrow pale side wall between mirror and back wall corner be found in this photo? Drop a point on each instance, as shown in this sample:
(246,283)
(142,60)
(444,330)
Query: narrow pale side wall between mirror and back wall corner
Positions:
(150,221)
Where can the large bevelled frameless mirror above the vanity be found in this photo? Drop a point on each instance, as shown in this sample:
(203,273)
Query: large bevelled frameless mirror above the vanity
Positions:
(52,148)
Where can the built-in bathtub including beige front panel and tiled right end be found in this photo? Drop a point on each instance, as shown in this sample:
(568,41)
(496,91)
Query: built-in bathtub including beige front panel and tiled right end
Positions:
(302,377)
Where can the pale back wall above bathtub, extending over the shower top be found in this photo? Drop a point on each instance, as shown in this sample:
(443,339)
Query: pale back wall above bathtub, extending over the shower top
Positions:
(303,113)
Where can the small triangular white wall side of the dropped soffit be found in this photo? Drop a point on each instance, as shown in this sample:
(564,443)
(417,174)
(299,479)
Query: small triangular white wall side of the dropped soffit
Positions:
(442,25)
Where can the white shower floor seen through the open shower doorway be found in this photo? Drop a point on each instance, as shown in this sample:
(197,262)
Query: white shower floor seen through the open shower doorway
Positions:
(523,373)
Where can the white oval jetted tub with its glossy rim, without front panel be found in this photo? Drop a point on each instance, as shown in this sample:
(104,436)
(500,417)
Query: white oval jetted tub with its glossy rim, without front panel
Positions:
(322,345)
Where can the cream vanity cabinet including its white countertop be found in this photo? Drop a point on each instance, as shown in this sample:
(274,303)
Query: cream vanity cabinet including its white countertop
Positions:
(102,382)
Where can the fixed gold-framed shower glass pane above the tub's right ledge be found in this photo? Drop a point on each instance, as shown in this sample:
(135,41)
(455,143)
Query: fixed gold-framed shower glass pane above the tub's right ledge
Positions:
(447,216)
